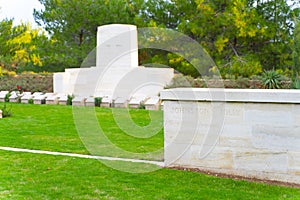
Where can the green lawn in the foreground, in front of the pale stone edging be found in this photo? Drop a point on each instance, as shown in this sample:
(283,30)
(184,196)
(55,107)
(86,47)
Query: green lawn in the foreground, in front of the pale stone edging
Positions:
(32,176)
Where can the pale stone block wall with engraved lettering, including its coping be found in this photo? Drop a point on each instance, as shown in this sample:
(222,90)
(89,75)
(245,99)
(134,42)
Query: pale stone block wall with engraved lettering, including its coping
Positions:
(252,133)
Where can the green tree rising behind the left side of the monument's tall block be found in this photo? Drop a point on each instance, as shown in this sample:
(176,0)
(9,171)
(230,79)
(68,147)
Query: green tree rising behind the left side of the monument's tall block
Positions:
(73,24)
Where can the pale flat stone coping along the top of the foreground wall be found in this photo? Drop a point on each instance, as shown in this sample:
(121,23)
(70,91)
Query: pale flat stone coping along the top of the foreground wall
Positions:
(232,95)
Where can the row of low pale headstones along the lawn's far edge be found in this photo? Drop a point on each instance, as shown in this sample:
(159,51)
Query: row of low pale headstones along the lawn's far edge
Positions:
(152,103)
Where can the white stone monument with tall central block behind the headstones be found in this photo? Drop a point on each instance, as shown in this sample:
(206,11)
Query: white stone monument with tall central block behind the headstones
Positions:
(116,74)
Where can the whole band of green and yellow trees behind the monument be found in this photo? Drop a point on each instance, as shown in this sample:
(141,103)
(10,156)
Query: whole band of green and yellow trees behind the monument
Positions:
(245,36)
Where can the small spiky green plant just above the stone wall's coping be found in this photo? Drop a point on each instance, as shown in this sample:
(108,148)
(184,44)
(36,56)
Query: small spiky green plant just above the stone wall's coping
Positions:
(271,79)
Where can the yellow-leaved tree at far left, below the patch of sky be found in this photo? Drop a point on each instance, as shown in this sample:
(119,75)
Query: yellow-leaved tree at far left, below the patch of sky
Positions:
(19,45)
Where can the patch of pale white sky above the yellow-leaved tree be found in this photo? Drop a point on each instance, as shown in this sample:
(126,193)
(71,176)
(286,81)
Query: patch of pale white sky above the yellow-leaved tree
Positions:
(20,10)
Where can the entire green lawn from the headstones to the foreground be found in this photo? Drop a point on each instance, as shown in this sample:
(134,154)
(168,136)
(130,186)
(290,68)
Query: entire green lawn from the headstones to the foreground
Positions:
(48,127)
